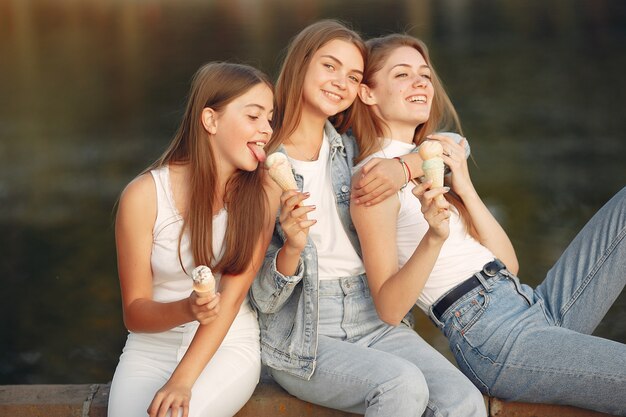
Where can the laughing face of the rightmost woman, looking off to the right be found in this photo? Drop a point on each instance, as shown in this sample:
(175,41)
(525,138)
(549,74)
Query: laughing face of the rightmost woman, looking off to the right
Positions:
(401,92)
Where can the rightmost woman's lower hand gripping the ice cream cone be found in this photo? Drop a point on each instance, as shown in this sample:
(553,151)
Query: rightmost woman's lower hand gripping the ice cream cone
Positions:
(436,211)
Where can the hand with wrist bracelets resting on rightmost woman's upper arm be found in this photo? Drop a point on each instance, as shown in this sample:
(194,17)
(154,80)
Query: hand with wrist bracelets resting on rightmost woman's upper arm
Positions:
(377,180)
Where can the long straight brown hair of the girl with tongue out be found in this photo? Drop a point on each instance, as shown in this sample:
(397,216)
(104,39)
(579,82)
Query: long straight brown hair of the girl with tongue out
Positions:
(215,85)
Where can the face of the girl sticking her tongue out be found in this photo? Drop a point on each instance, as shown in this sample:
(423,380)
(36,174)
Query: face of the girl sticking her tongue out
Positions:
(240,131)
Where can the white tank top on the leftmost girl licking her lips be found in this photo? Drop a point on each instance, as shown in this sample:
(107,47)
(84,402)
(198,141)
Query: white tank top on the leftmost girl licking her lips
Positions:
(170,281)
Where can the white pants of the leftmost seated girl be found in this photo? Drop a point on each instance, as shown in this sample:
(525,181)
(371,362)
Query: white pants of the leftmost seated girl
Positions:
(223,387)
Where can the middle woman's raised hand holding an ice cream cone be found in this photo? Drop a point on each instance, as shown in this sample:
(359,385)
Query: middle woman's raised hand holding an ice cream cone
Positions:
(294,220)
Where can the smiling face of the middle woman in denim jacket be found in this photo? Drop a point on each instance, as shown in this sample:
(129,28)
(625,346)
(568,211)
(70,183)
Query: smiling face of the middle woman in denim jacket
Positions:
(332,79)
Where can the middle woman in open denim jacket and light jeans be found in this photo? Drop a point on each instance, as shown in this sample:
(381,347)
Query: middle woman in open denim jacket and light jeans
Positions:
(320,334)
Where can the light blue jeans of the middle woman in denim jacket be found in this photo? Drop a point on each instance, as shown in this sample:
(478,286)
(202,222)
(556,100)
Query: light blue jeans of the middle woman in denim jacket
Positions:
(368,367)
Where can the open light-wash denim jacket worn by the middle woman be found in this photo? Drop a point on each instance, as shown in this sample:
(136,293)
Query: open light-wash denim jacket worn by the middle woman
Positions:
(288,305)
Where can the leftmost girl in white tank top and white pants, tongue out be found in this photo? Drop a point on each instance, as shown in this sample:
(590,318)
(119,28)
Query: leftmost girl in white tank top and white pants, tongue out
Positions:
(193,207)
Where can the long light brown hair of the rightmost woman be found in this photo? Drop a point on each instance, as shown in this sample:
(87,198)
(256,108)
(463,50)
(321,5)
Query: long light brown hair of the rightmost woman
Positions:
(368,127)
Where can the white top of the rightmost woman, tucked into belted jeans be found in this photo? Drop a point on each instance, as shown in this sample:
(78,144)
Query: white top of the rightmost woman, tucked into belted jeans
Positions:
(461,255)
